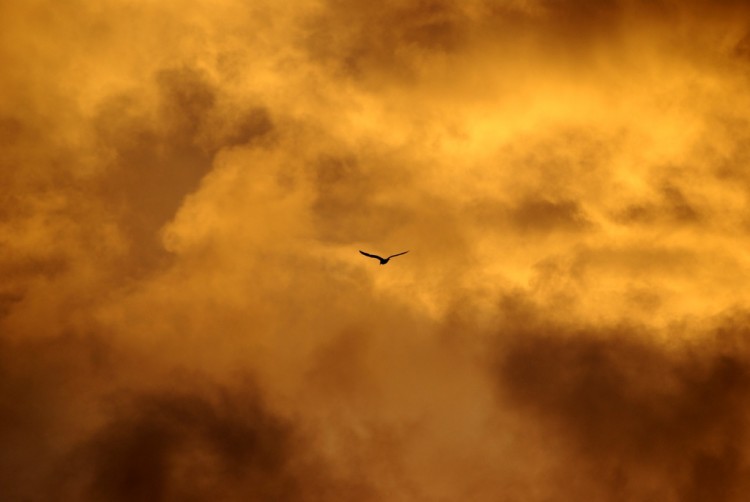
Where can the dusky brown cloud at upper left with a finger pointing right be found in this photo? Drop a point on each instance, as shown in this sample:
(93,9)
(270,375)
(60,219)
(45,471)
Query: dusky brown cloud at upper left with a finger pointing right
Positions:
(159,156)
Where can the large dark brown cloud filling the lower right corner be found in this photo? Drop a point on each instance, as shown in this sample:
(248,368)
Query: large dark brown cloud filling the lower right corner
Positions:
(646,418)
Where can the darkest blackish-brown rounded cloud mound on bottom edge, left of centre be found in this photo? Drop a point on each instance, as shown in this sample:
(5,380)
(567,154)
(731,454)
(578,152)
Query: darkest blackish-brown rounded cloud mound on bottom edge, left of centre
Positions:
(188,446)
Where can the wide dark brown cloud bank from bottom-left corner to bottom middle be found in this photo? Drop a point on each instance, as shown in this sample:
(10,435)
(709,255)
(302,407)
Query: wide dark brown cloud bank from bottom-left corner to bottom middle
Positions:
(166,444)
